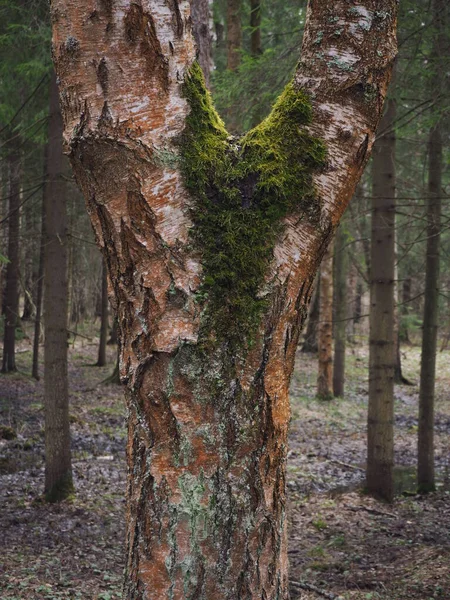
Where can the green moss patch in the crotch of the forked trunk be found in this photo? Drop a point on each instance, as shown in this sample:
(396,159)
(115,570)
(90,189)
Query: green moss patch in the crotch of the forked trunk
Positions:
(243,188)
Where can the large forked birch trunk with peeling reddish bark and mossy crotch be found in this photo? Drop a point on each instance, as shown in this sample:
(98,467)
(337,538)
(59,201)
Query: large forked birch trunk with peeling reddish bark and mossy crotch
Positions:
(209,317)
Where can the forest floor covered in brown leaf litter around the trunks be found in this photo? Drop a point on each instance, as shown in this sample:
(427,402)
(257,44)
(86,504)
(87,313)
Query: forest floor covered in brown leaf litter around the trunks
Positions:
(342,542)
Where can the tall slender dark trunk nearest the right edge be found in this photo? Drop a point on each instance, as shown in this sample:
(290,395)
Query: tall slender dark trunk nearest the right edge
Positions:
(426,476)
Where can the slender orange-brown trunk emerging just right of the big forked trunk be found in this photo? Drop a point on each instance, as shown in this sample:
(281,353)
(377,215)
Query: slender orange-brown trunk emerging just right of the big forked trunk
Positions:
(325,340)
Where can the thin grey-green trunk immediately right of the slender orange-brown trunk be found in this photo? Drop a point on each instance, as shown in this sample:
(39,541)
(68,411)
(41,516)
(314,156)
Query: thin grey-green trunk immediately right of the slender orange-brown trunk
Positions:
(340,312)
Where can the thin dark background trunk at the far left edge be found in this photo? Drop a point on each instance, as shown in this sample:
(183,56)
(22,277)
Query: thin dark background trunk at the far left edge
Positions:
(11,304)
